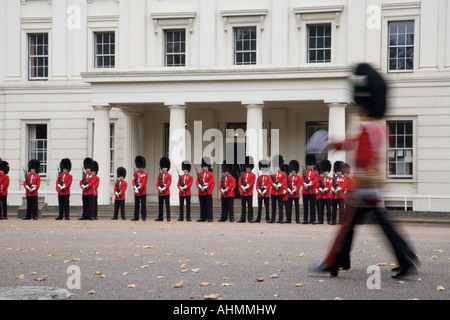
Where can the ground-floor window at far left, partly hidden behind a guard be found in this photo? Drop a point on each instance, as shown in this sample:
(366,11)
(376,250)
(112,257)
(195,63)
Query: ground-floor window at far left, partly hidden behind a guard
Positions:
(37,145)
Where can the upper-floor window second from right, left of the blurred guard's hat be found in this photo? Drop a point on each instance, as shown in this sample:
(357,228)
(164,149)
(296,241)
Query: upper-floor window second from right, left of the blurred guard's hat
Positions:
(319,43)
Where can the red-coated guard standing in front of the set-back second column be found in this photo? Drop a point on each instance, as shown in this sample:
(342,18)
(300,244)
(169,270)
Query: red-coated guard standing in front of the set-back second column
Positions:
(140,178)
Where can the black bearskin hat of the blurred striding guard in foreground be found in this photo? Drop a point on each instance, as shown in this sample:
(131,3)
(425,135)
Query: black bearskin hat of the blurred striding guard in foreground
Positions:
(370,90)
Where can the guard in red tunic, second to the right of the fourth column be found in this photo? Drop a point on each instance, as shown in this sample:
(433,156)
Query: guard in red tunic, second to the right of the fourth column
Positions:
(278,188)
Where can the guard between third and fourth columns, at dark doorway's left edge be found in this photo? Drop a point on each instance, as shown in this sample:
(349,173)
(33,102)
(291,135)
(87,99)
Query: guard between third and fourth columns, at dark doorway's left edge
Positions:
(226,187)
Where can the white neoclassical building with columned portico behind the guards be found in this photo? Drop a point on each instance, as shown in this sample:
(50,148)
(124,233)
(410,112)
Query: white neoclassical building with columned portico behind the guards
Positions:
(112,79)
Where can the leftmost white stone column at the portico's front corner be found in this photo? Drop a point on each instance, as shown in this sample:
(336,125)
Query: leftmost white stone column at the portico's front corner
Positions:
(102,152)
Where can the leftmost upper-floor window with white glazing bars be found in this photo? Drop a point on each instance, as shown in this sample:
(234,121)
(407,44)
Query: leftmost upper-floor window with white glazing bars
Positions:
(38,56)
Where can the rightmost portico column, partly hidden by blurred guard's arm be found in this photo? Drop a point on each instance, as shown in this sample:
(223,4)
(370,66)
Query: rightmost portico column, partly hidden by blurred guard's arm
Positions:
(336,129)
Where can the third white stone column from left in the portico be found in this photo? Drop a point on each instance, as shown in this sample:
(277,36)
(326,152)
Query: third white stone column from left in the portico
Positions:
(177,145)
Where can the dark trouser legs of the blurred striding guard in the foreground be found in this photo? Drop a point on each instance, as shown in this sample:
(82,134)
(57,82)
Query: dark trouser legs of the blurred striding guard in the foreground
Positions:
(340,252)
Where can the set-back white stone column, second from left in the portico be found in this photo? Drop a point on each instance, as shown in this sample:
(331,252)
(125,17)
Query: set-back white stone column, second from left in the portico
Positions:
(131,149)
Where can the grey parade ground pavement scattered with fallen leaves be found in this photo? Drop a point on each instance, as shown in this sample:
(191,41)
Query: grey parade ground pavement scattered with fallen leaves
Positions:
(188,261)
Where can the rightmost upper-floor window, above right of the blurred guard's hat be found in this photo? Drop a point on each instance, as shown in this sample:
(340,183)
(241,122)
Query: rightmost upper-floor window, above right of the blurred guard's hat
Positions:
(401,46)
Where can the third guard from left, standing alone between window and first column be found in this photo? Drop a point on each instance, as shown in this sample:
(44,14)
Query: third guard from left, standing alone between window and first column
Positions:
(63,183)
